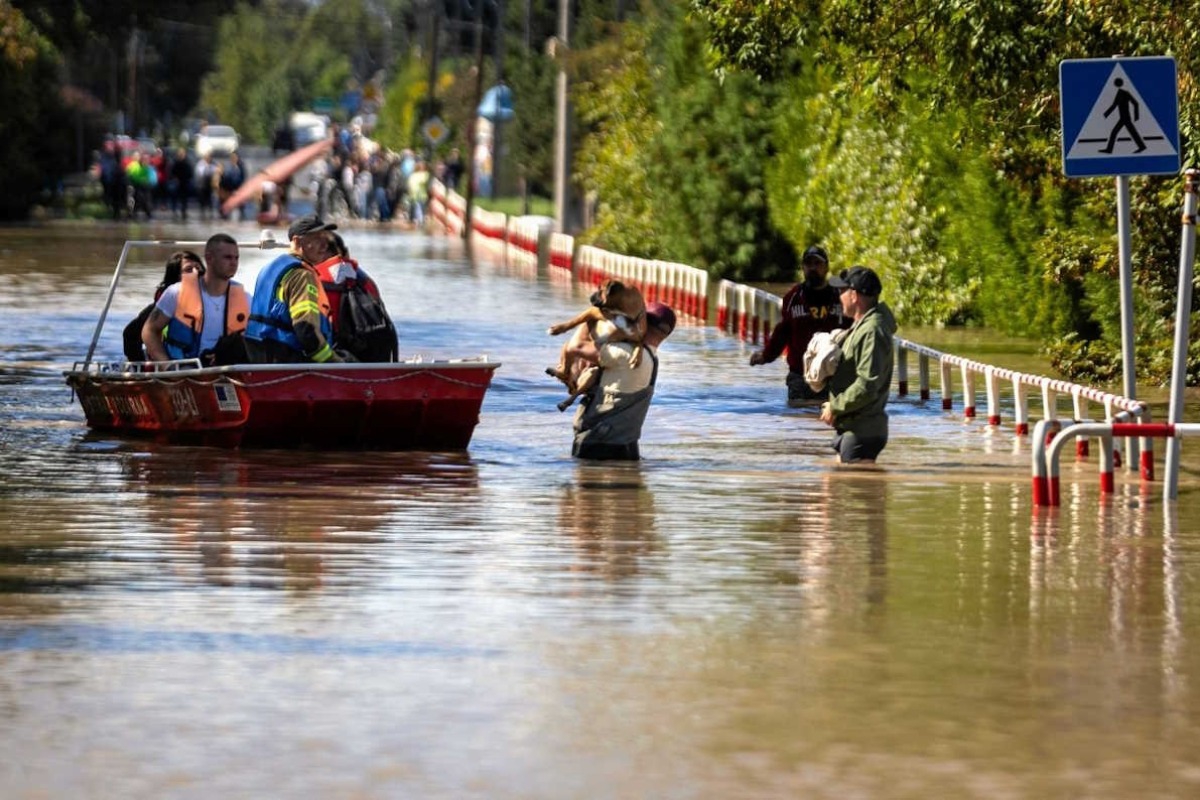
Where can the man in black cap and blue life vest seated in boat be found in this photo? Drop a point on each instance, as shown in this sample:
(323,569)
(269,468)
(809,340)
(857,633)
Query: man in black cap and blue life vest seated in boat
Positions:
(291,320)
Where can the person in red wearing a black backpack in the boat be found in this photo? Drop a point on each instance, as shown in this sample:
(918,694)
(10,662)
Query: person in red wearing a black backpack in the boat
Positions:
(361,321)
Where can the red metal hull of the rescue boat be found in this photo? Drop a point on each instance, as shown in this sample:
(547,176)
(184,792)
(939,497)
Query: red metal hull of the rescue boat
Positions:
(410,406)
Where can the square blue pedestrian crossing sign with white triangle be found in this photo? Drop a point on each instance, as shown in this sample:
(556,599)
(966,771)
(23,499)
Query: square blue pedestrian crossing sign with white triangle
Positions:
(1120,117)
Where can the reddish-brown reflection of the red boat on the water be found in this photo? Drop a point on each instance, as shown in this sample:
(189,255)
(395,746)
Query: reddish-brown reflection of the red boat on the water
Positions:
(277,520)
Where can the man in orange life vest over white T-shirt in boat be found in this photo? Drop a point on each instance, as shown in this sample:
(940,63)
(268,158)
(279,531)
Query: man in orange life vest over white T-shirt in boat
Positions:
(205,315)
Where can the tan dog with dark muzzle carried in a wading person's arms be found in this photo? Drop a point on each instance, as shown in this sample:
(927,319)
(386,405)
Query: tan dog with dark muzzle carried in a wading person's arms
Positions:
(617,315)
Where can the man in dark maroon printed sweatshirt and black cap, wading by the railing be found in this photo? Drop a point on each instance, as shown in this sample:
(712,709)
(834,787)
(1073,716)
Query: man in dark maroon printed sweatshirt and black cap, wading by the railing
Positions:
(809,308)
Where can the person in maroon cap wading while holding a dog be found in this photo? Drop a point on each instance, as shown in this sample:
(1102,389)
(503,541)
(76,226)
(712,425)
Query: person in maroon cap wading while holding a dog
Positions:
(609,425)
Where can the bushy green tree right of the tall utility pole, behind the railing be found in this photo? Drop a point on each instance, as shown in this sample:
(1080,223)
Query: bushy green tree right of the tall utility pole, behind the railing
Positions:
(679,154)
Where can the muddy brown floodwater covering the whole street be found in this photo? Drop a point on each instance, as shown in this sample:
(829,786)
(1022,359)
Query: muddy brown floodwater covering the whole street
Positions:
(734,617)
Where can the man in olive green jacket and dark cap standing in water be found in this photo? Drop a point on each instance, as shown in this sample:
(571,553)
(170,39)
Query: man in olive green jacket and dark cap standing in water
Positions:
(860,389)
